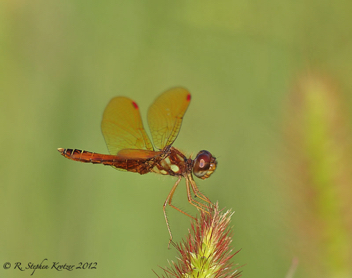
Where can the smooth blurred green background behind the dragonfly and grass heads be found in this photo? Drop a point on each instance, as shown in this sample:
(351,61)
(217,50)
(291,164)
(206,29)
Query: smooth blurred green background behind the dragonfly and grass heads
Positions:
(62,61)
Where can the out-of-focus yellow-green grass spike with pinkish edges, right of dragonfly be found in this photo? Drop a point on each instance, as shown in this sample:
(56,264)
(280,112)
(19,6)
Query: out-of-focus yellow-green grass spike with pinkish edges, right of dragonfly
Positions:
(325,153)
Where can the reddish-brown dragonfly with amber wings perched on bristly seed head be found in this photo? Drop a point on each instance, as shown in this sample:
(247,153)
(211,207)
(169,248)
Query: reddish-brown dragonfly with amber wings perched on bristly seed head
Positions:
(131,149)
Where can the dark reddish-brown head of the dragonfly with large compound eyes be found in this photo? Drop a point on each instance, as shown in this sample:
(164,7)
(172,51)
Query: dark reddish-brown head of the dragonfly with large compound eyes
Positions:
(204,165)
